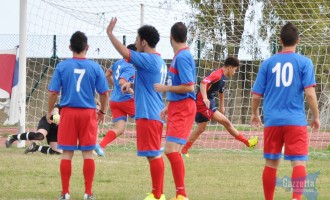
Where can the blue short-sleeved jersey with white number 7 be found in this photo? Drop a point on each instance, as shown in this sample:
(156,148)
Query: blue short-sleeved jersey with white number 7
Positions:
(77,79)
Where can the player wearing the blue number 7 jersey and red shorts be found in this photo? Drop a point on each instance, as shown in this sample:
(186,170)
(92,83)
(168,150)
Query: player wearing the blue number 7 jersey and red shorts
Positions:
(77,79)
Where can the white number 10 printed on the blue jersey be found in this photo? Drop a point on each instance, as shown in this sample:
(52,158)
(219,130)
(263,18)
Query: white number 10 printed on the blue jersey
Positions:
(284,74)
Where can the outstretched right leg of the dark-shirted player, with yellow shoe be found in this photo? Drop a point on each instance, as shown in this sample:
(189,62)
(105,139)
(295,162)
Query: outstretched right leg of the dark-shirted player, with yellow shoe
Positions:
(219,117)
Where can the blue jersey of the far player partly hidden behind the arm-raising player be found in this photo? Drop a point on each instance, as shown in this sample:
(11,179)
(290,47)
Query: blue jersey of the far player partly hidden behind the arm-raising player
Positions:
(121,70)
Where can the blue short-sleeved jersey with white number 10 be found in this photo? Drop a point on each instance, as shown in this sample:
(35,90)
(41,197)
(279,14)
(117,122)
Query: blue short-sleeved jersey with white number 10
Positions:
(281,80)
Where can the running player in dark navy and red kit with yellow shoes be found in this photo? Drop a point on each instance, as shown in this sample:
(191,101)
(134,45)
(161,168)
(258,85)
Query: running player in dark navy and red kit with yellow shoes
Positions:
(206,110)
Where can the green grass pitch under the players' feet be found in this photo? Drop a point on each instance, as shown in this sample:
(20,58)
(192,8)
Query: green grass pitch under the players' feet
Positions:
(121,175)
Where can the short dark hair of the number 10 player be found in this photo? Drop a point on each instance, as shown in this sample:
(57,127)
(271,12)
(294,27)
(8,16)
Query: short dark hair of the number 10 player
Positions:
(289,34)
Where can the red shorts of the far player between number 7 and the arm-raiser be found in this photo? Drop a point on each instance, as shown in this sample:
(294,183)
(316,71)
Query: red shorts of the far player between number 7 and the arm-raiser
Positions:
(120,110)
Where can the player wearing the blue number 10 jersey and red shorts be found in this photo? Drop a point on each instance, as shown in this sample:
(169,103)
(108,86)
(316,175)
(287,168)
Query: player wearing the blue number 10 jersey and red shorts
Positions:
(282,80)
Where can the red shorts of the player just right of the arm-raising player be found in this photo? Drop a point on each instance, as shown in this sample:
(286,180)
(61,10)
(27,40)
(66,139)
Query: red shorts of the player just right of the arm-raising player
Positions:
(181,115)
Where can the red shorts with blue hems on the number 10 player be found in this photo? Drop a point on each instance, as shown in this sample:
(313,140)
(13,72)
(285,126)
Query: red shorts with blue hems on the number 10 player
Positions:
(294,139)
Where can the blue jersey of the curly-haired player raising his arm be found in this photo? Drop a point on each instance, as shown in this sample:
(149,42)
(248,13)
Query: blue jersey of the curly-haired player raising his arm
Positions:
(150,69)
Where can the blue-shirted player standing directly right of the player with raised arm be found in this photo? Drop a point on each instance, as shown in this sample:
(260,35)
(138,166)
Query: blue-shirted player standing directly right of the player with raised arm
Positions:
(181,109)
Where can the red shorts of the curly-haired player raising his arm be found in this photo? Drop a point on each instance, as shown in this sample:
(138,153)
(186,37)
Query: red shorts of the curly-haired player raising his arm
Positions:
(149,137)
